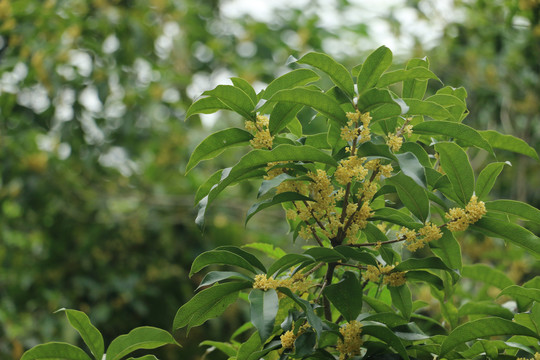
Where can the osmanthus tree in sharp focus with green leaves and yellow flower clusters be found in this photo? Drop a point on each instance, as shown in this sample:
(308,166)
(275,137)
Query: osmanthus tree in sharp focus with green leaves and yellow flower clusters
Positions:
(379,197)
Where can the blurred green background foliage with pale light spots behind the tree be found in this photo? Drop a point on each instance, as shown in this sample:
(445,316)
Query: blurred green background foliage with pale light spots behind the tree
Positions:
(94,211)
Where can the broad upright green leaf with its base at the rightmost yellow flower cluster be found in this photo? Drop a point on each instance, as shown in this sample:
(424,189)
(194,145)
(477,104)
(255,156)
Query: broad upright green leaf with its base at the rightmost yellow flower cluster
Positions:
(457,167)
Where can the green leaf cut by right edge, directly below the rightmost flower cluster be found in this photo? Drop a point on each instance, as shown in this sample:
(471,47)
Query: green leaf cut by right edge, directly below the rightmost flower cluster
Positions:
(509,231)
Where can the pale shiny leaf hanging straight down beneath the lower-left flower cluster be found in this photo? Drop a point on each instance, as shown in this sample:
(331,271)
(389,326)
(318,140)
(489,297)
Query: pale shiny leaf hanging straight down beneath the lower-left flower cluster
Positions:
(264,307)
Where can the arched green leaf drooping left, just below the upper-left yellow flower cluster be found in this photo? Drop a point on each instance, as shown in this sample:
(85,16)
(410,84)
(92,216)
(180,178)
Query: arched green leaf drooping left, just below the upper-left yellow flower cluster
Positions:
(216,143)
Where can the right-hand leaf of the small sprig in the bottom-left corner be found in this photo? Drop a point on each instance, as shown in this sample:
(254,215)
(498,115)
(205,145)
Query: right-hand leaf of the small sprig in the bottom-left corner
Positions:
(144,337)
